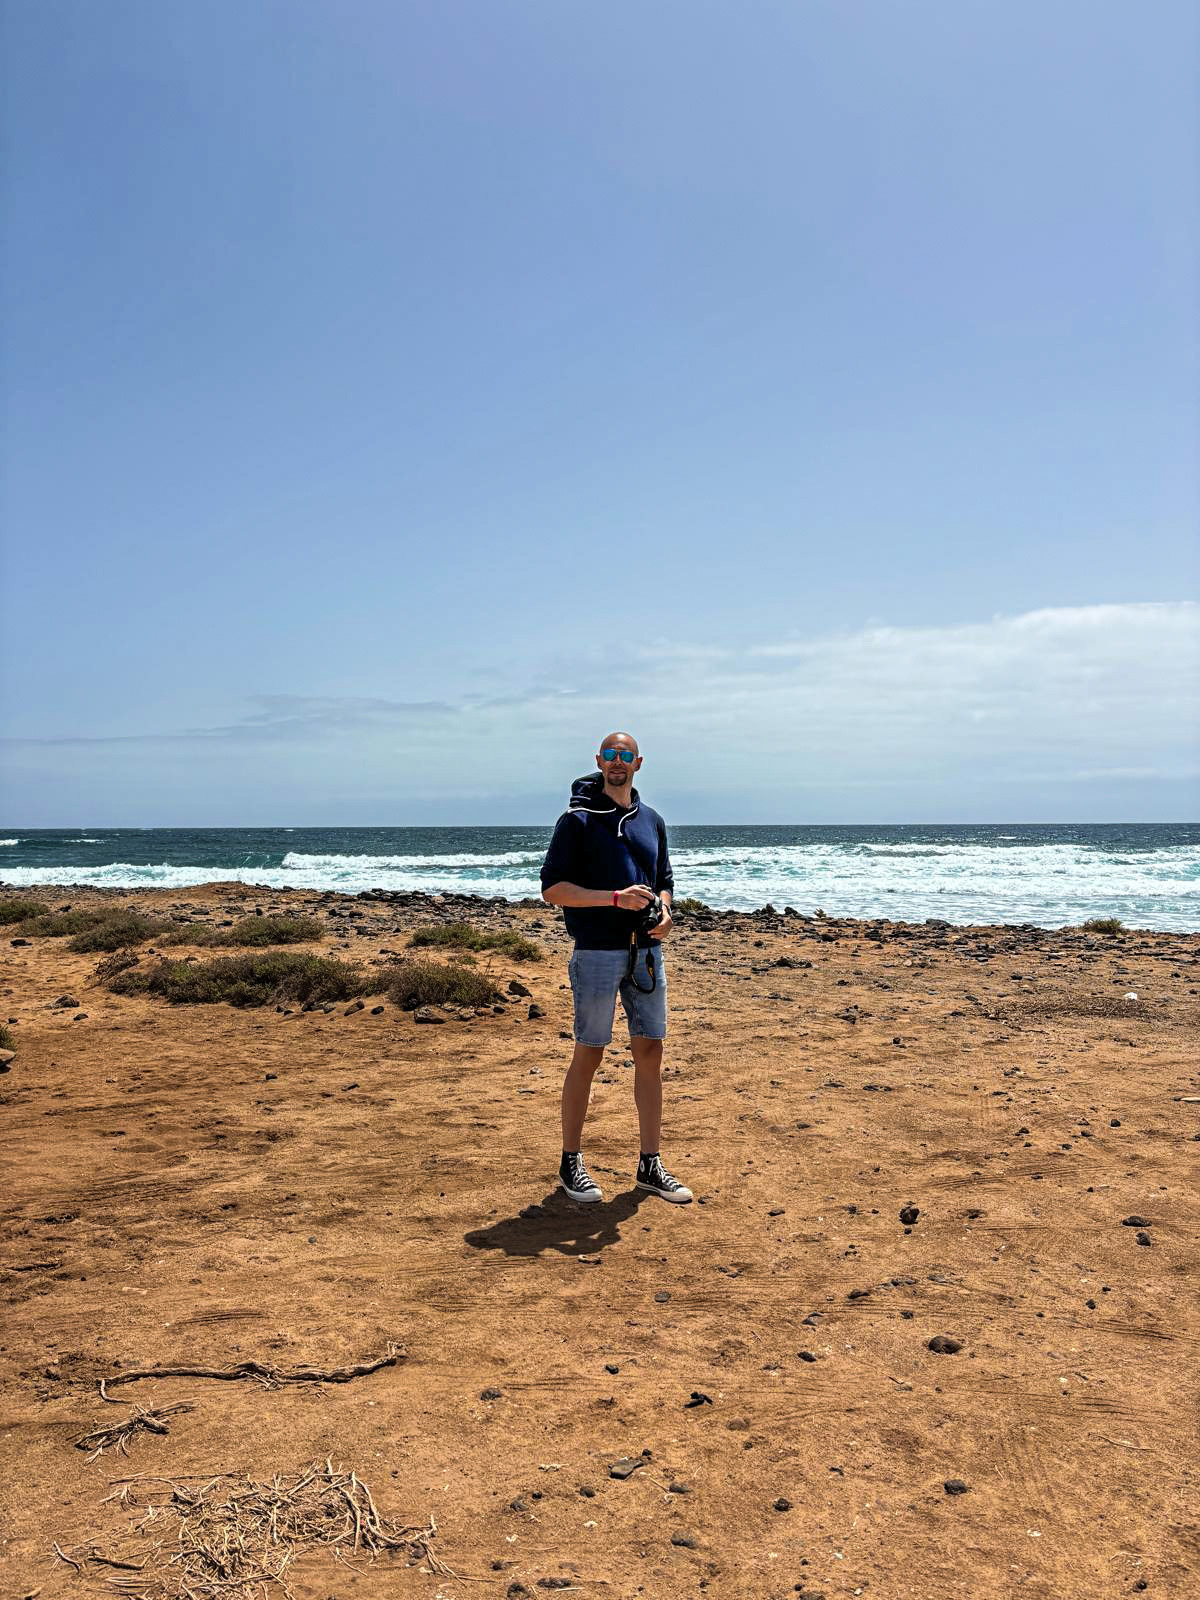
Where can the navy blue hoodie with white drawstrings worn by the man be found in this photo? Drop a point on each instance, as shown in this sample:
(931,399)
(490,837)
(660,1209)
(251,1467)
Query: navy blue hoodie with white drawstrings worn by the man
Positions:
(602,846)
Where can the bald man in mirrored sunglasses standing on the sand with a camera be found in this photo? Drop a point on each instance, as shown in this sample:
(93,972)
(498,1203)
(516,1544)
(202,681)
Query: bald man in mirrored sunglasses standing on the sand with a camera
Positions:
(606,865)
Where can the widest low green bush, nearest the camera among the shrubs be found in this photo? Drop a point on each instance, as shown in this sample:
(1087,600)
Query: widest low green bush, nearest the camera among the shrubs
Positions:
(270,978)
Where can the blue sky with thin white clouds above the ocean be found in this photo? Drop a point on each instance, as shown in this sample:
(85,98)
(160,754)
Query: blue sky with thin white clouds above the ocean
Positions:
(398,398)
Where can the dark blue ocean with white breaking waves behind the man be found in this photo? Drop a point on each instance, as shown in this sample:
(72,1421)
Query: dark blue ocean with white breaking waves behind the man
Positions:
(1050,876)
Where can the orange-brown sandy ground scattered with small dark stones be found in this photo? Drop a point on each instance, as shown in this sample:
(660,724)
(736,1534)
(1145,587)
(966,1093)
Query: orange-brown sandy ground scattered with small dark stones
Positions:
(206,1186)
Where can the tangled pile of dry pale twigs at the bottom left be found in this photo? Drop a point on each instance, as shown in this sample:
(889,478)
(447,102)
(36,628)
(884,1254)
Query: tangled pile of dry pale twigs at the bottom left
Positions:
(234,1542)
